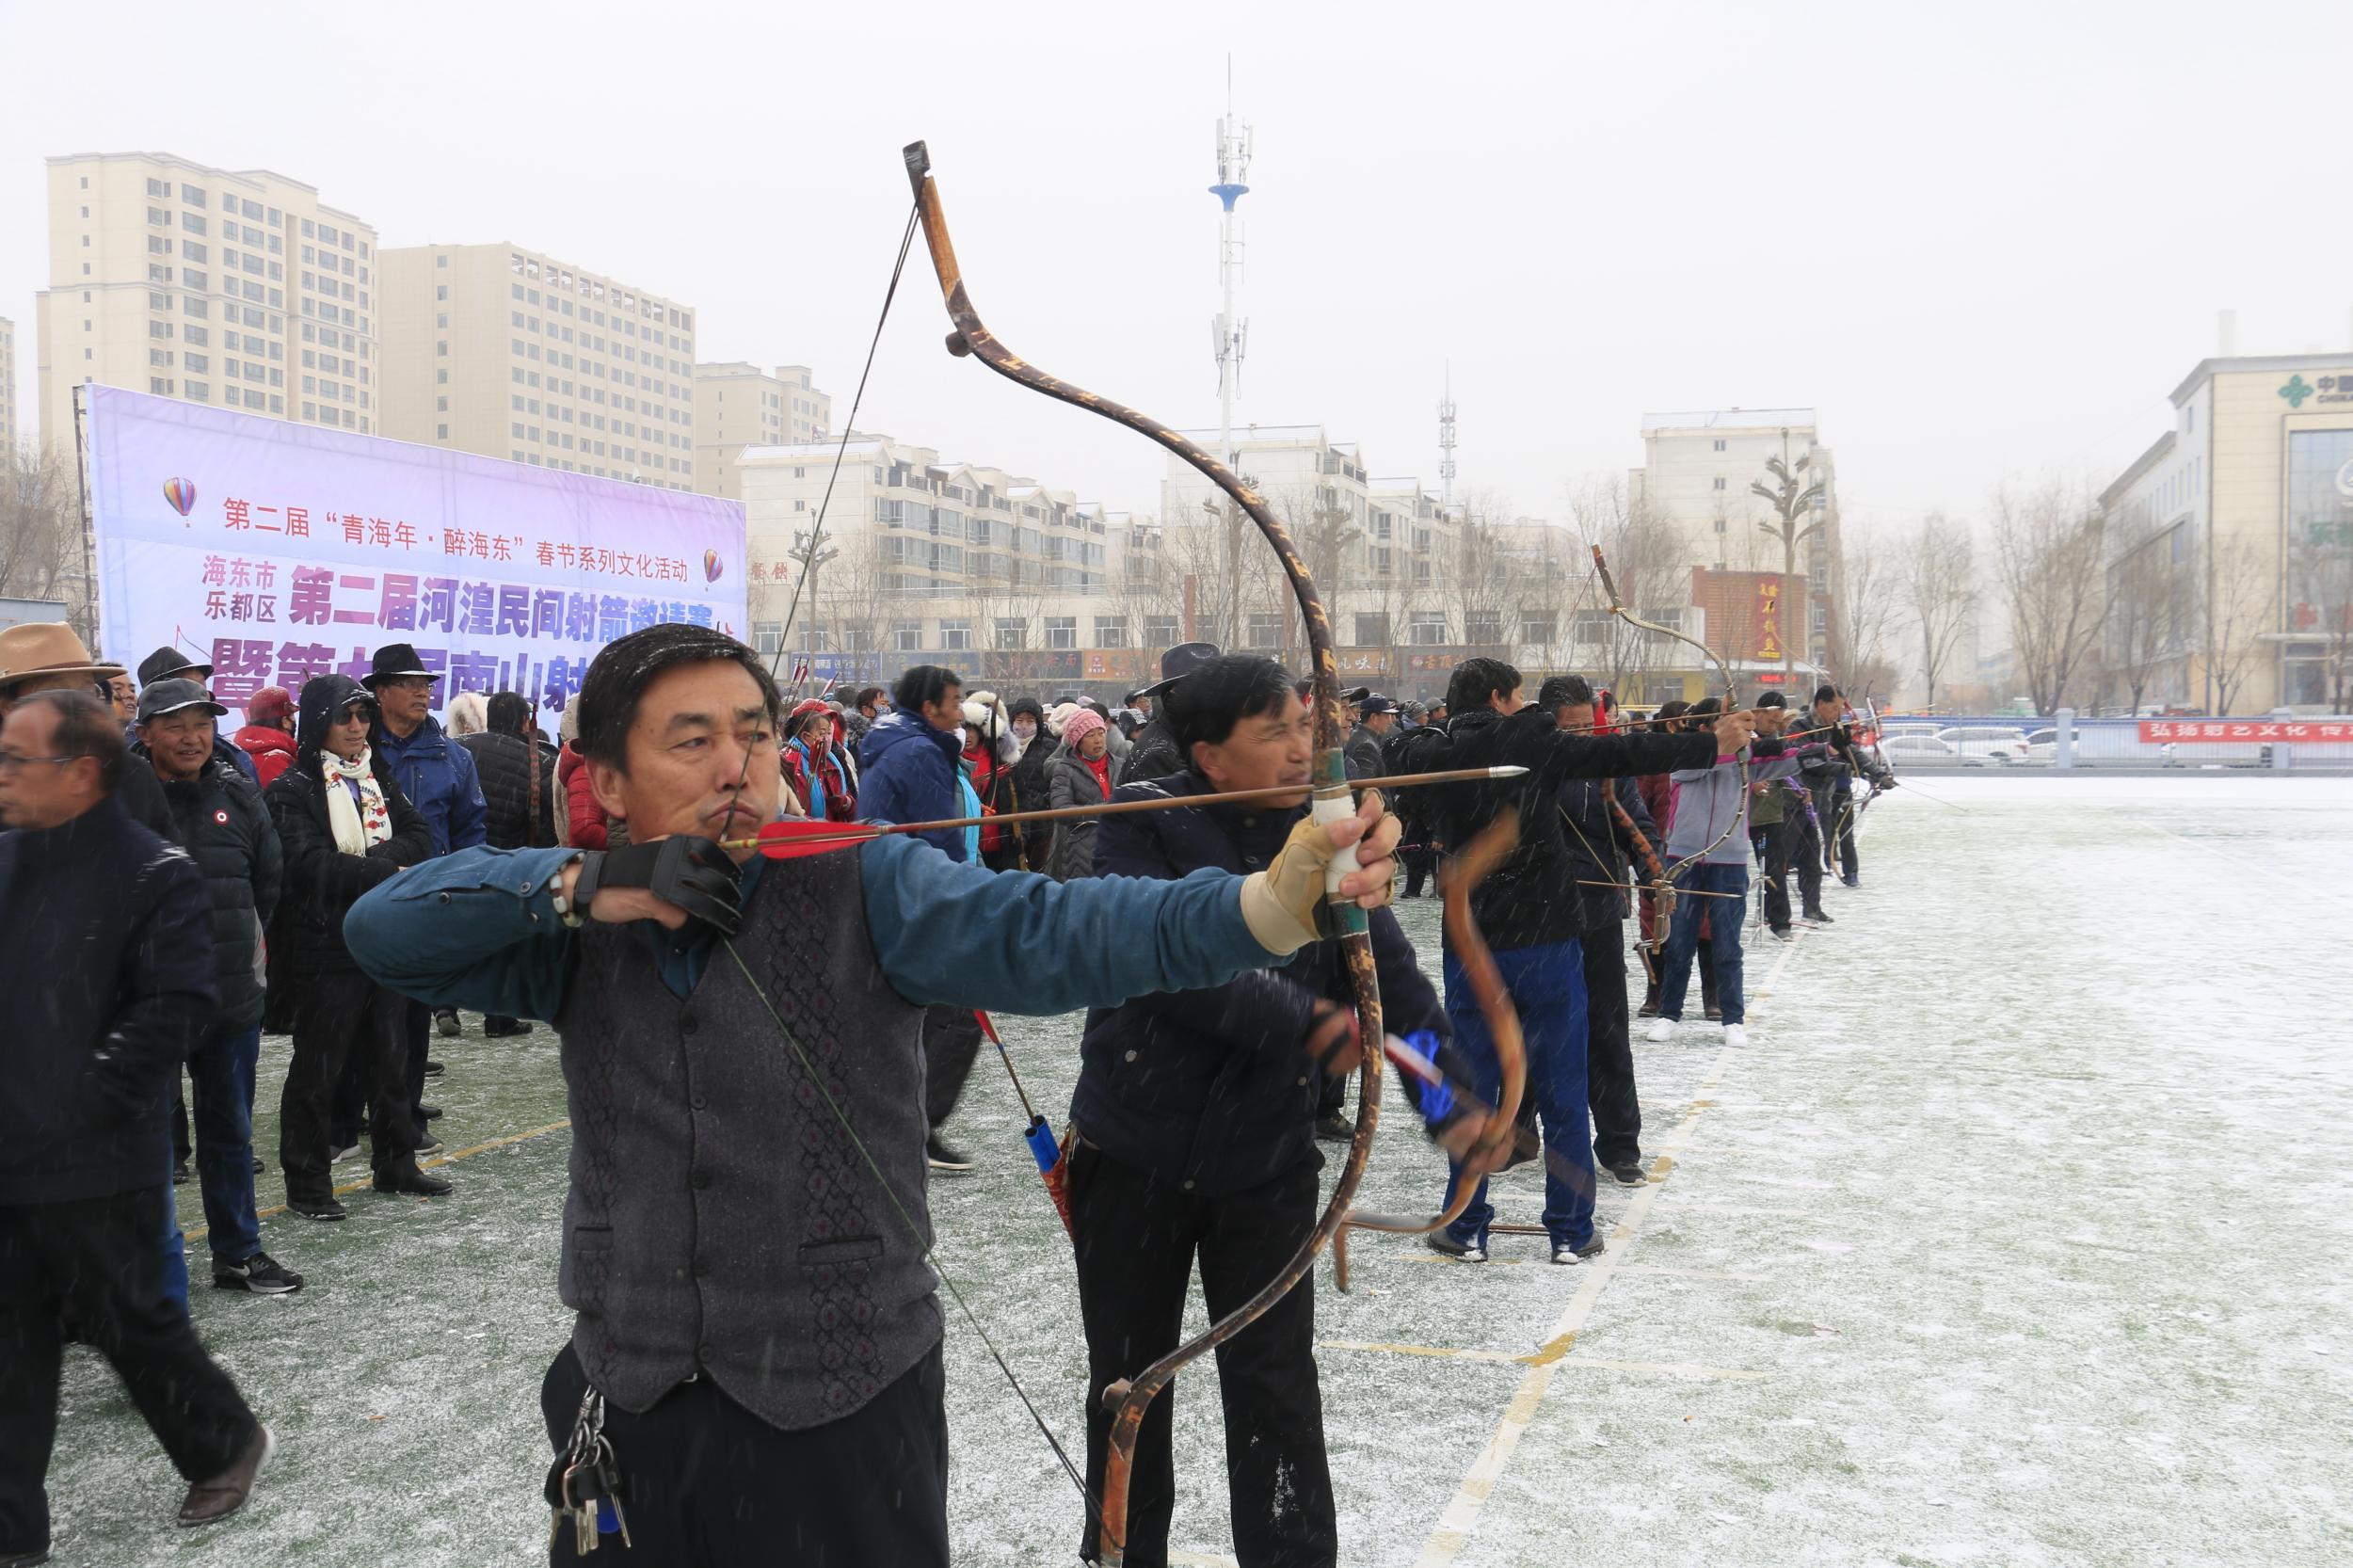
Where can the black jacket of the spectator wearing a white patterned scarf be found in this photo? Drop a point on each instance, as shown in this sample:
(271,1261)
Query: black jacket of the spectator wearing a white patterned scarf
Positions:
(321,882)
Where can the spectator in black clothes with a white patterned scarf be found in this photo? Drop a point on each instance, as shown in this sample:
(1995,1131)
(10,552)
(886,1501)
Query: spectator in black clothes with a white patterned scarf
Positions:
(338,1009)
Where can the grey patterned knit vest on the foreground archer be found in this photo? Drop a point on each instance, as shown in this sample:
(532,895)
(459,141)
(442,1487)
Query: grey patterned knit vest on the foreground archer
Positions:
(721,1223)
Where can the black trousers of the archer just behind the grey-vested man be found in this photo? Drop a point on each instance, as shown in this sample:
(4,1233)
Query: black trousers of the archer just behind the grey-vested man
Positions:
(1138,1237)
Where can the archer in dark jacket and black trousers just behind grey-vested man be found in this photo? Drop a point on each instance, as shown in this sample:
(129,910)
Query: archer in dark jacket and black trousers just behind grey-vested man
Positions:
(1194,1138)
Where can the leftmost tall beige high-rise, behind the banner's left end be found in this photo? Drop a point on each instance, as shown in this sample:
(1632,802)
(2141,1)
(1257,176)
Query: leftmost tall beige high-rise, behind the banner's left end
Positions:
(213,286)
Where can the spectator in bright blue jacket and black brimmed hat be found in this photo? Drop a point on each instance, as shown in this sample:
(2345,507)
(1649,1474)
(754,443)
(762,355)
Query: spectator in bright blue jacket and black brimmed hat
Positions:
(441,783)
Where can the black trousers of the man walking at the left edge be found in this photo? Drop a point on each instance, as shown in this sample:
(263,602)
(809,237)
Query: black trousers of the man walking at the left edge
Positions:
(95,1263)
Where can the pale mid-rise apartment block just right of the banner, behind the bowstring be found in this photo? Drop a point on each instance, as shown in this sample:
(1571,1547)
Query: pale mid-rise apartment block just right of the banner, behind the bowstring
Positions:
(931,562)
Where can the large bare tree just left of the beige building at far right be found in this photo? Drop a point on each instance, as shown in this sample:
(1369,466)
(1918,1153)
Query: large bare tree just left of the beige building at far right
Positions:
(2048,557)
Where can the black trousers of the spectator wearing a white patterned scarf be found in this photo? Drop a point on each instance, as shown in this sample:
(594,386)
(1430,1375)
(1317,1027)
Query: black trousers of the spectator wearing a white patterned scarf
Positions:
(340,1018)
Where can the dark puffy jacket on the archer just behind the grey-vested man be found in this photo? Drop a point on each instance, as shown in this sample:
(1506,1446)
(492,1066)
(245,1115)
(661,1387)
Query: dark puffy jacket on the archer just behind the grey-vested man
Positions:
(1215,1089)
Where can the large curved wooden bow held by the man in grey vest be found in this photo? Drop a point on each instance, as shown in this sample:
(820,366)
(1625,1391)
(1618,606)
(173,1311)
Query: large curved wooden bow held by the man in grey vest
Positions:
(1331,802)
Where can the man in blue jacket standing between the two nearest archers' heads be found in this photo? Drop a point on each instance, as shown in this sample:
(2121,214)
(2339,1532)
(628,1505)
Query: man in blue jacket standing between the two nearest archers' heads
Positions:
(909,771)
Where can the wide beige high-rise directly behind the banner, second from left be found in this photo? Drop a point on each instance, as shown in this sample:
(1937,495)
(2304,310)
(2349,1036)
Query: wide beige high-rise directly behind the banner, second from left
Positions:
(514,354)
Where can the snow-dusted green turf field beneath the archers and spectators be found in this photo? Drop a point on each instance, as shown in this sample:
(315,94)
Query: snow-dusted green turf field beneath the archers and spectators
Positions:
(2022,1233)
